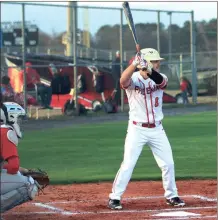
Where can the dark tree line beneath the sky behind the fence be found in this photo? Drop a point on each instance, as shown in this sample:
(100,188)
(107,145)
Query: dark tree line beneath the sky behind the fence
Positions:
(108,37)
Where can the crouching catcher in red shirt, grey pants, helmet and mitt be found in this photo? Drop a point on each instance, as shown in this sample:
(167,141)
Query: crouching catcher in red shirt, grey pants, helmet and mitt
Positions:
(18,185)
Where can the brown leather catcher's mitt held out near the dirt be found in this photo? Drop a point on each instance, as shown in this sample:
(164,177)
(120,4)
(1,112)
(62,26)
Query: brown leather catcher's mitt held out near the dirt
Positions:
(40,176)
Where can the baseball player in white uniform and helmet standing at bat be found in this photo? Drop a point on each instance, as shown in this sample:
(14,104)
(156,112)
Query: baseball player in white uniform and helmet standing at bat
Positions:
(144,88)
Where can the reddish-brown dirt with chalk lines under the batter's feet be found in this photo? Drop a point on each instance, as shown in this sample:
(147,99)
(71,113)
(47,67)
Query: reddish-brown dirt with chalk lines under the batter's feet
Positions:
(142,200)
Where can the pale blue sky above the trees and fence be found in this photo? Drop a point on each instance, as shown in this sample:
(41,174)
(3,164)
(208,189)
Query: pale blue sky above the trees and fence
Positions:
(55,18)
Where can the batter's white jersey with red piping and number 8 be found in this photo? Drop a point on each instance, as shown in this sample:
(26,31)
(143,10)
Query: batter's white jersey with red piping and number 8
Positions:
(145,99)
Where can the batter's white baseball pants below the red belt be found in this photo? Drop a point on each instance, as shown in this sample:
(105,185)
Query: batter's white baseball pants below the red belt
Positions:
(157,140)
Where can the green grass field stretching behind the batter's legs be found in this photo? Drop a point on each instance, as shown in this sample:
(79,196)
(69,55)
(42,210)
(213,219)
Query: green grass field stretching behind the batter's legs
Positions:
(94,152)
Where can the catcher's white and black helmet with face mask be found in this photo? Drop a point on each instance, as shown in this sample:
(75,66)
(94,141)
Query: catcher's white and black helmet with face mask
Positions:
(13,114)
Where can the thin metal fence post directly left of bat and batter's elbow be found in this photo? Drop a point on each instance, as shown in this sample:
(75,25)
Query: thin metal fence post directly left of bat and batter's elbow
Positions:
(121,58)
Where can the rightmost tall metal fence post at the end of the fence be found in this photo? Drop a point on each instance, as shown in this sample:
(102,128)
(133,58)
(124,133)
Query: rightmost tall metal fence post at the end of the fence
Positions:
(193,59)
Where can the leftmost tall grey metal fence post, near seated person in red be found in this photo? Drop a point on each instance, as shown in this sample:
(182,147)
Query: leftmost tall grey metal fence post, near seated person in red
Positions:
(24,58)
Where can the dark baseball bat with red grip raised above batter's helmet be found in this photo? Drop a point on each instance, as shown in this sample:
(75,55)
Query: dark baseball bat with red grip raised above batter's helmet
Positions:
(131,24)
